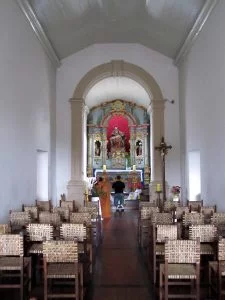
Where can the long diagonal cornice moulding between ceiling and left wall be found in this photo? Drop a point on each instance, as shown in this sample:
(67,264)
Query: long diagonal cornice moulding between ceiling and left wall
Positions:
(39,31)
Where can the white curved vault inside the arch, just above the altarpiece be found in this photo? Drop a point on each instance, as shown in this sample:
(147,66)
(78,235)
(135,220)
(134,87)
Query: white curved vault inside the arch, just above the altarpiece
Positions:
(112,88)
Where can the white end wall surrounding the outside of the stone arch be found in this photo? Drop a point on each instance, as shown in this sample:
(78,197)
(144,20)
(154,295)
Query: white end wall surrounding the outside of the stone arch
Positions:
(76,66)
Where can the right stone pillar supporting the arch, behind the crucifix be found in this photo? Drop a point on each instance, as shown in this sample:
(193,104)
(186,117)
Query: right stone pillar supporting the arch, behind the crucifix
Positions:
(156,111)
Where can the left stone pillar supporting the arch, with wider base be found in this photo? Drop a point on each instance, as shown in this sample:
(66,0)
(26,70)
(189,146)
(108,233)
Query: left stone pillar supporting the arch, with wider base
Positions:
(78,168)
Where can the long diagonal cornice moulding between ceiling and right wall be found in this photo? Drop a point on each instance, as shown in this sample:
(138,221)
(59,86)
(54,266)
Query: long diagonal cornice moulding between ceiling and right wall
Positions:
(196,29)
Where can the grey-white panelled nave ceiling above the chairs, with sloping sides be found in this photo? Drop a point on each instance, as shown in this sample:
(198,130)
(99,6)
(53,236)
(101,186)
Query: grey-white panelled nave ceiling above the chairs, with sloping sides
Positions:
(162,25)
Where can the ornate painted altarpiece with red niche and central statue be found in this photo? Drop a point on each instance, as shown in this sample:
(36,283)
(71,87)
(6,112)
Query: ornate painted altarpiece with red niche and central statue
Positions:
(118,139)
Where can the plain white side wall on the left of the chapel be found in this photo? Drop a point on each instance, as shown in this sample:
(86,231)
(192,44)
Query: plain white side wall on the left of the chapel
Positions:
(27,95)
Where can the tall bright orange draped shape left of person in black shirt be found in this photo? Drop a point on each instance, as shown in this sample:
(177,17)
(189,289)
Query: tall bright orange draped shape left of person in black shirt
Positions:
(103,188)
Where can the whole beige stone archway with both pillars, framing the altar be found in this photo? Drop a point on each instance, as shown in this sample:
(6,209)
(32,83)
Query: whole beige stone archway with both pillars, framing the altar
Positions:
(78,118)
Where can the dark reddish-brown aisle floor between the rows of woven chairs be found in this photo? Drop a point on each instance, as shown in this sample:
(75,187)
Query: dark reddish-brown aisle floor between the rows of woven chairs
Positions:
(119,272)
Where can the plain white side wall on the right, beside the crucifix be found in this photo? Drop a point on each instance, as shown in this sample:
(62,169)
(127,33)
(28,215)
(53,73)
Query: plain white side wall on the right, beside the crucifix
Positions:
(202,96)
